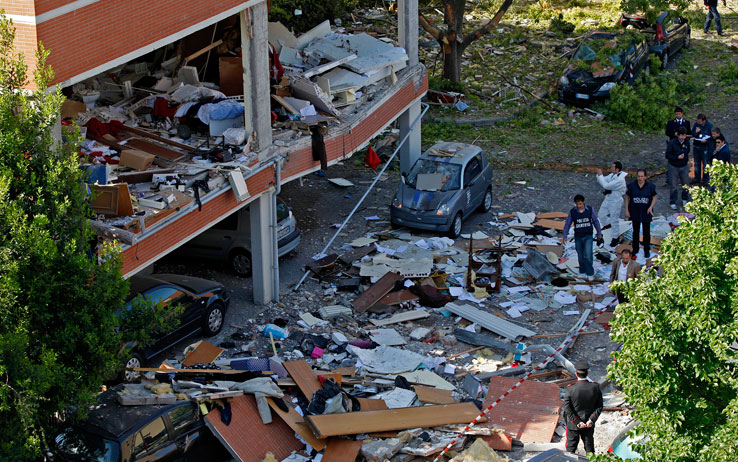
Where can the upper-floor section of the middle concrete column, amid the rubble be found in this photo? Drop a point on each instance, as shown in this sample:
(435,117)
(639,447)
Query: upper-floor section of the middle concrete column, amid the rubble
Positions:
(254,46)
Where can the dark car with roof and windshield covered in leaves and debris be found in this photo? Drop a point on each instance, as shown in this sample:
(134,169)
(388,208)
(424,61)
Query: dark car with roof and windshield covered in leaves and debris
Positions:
(588,79)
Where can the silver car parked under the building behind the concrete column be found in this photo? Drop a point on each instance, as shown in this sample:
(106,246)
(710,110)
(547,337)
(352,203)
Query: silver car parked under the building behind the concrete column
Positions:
(230,239)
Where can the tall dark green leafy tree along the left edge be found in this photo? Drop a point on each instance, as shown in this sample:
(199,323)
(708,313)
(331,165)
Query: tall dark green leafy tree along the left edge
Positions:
(60,336)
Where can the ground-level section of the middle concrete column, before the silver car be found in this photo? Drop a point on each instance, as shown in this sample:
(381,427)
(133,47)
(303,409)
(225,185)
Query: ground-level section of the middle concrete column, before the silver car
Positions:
(262,242)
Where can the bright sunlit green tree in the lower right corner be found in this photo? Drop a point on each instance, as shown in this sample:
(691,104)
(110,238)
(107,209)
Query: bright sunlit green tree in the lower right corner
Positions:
(676,365)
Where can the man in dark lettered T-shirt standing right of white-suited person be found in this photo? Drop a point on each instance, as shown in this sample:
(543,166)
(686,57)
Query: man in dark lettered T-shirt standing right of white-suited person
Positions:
(640,199)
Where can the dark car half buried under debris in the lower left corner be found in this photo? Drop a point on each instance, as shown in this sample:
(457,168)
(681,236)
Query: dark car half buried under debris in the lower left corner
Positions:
(115,433)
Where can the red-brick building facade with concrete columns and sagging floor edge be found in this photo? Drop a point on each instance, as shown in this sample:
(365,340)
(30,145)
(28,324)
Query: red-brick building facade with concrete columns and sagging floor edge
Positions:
(88,37)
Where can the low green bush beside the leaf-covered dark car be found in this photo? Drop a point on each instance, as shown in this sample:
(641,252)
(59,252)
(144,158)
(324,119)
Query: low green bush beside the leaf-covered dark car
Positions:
(646,105)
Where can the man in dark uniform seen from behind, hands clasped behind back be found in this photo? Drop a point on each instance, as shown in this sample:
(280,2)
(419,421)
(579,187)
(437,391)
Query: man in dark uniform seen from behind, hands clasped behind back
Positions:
(582,407)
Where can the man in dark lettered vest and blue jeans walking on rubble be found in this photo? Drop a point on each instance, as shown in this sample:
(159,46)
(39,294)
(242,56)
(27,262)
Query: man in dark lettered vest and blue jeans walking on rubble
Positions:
(585,222)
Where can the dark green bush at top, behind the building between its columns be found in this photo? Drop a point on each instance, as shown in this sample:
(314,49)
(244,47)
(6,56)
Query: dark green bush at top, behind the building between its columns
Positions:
(313,13)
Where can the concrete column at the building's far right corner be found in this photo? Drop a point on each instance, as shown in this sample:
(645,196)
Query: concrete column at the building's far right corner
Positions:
(408,38)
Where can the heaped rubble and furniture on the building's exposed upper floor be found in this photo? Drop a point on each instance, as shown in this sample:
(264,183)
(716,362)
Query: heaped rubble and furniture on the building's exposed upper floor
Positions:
(157,139)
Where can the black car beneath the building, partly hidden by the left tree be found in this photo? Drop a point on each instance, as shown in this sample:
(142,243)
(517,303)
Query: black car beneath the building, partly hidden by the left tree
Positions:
(204,306)
